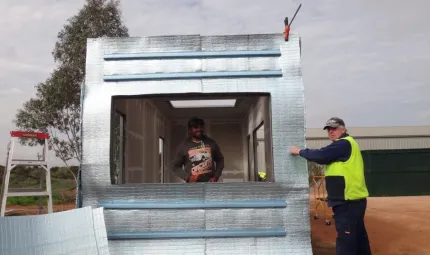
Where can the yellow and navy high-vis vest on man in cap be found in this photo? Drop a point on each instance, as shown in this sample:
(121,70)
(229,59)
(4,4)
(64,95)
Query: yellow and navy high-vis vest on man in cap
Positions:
(345,180)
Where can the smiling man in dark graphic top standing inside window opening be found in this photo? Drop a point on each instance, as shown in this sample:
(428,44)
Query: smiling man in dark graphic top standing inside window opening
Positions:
(199,154)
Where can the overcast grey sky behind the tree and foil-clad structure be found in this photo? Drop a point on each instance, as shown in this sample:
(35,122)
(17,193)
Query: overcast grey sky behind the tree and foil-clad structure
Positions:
(366,61)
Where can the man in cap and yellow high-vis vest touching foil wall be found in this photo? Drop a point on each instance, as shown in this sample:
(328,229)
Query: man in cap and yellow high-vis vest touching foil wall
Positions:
(346,186)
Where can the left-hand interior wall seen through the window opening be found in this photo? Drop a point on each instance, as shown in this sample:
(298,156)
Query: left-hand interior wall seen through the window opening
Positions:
(145,124)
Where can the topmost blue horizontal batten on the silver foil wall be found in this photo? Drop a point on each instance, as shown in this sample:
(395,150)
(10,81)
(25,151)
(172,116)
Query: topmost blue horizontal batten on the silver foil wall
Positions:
(192,54)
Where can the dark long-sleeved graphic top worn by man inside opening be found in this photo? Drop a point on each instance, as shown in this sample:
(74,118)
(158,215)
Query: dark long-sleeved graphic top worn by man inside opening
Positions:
(203,159)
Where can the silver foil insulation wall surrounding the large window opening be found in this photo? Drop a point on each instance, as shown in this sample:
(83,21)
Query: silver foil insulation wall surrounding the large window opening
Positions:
(201,64)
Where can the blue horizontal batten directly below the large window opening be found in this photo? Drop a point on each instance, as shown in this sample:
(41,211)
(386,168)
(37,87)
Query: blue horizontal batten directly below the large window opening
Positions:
(192,204)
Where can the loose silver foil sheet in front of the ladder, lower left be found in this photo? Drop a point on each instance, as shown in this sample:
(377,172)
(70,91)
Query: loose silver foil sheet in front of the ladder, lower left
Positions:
(81,232)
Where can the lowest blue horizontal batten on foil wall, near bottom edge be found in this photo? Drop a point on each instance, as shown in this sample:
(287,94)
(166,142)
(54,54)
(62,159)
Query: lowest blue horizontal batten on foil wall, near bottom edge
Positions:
(280,232)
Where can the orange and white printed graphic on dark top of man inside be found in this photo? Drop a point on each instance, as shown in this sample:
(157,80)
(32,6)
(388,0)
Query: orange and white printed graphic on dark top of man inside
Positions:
(201,160)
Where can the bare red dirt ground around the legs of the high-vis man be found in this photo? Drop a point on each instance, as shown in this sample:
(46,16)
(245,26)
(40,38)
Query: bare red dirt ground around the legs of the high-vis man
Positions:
(396,226)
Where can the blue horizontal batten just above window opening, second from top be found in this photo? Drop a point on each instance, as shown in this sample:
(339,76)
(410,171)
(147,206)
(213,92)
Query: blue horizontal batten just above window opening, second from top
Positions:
(193,75)
